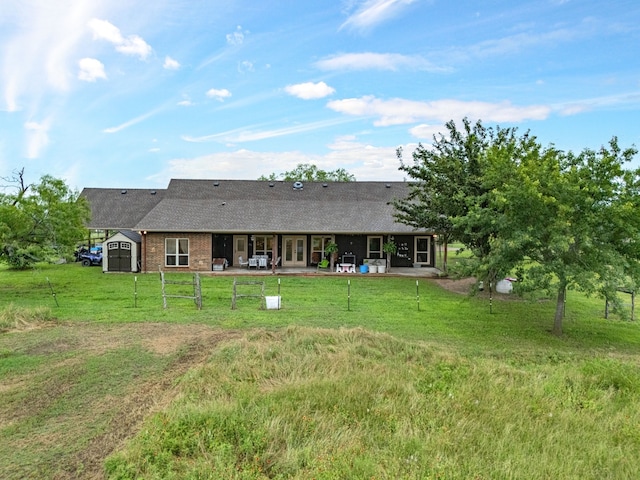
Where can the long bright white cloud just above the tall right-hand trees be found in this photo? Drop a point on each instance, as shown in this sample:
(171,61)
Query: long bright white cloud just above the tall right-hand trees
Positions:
(399,111)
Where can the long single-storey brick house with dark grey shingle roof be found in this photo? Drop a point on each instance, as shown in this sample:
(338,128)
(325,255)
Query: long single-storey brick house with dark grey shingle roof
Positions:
(194,222)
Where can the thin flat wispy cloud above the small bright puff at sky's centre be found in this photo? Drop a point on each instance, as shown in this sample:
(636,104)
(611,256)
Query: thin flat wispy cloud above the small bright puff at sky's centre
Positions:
(377,61)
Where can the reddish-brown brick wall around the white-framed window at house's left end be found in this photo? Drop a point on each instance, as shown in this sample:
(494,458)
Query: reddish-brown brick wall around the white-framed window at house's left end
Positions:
(153,254)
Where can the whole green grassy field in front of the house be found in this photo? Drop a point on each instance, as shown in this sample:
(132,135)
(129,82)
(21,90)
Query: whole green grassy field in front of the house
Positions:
(378,377)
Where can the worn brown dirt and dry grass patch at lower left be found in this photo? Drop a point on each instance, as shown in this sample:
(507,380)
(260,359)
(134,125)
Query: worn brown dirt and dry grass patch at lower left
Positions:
(178,347)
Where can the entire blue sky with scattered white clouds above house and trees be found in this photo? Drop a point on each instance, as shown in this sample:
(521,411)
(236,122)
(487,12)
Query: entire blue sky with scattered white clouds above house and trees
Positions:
(132,93)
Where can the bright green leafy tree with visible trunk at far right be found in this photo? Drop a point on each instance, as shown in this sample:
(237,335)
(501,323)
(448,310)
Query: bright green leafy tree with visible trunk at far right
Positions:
(564,221)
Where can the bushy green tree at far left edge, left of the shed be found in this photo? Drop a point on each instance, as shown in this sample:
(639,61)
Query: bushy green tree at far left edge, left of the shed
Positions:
(39,221)
